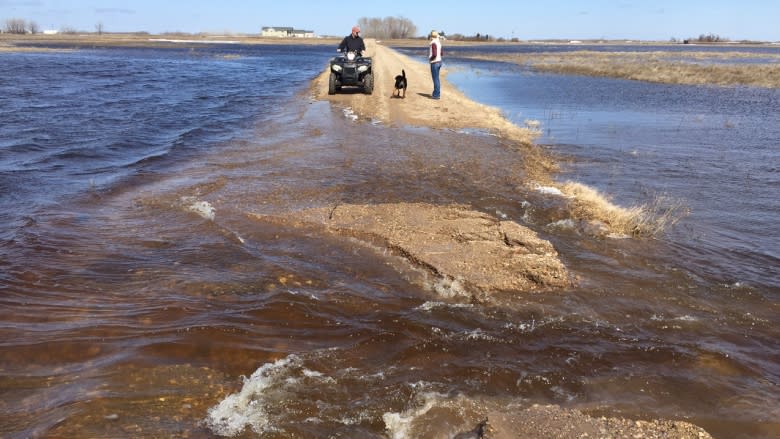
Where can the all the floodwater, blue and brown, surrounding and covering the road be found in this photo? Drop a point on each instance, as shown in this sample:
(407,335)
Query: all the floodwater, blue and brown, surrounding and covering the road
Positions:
(136,292)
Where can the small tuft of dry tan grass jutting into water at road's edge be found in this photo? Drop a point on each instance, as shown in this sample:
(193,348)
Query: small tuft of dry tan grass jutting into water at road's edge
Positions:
(588,204)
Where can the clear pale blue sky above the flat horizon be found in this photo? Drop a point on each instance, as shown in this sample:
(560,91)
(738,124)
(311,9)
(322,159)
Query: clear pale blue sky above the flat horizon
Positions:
(565,19)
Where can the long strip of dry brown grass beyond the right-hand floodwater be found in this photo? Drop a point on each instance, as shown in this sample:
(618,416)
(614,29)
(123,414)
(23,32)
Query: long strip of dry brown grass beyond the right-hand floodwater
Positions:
(696,68)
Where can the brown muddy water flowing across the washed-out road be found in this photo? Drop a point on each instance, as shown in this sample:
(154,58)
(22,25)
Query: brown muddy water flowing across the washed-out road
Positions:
(156,307)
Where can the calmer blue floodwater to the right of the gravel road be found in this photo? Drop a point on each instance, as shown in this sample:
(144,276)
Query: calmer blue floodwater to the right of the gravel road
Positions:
(716,148)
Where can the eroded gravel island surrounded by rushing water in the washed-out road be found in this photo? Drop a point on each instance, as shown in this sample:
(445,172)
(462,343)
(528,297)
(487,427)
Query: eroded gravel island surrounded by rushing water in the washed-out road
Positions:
(468,252)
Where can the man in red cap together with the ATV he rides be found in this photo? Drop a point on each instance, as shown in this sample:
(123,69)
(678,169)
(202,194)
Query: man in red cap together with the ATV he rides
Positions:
(351,68)
